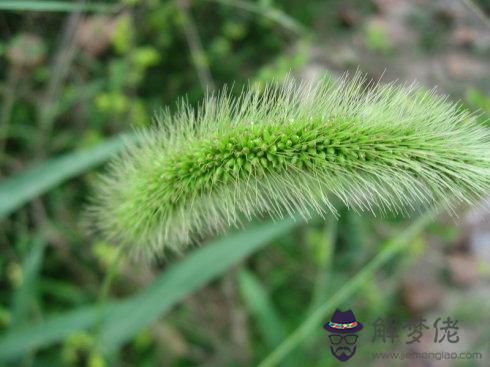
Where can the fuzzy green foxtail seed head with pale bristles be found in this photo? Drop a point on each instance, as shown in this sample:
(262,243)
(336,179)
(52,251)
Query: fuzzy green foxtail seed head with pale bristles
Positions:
(286,149)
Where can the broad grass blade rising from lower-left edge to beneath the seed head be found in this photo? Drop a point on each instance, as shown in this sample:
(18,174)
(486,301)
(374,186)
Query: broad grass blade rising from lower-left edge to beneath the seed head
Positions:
(125,318)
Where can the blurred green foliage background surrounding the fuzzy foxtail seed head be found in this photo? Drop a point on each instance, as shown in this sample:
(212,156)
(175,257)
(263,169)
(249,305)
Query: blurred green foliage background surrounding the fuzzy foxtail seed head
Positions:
(74,74)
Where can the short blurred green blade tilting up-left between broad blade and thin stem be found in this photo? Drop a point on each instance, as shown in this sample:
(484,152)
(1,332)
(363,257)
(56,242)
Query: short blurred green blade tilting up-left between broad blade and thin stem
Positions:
(260,305)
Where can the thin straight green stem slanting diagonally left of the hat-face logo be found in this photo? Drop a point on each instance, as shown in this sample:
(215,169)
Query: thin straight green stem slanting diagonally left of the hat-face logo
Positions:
(388,250)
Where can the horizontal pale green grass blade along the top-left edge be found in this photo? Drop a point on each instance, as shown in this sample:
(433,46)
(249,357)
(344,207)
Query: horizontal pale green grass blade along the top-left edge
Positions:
(54,6)
